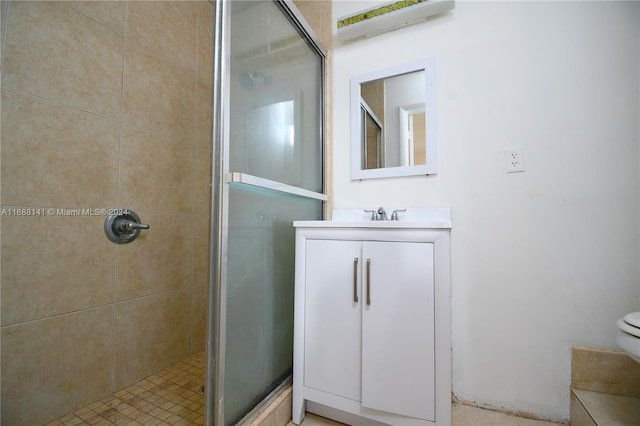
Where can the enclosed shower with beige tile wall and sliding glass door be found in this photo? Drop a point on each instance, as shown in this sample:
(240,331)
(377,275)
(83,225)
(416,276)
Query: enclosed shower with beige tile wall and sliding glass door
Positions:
(213,136)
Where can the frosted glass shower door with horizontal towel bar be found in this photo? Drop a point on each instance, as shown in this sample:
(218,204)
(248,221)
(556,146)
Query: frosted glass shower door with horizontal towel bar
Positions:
(271,174)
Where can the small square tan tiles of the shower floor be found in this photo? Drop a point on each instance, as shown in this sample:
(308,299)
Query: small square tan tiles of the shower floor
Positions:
(172,396)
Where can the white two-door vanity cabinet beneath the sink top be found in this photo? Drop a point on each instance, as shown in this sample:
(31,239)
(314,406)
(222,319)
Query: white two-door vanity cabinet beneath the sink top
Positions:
(371,334)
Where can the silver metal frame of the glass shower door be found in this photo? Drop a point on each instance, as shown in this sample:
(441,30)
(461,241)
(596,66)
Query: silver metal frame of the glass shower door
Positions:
(221,179)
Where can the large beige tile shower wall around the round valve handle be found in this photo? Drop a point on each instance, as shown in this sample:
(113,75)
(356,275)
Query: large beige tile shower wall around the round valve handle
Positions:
(104,104)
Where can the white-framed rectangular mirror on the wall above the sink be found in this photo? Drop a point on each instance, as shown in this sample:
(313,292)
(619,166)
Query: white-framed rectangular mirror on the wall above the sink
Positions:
(393,122)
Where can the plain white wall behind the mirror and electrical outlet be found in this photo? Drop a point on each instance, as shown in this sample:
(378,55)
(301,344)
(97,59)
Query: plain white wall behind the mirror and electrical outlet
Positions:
(542,259)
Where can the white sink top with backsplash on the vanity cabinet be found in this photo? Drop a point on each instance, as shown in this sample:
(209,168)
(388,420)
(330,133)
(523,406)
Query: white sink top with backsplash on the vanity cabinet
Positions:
(411,218)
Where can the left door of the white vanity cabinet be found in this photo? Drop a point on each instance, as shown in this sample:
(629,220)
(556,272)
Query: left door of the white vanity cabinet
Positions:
(332,324)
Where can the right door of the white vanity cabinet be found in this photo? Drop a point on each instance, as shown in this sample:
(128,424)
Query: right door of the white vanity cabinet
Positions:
(398,359)
